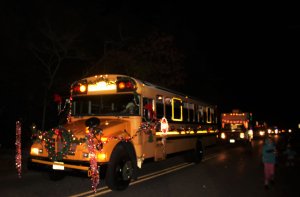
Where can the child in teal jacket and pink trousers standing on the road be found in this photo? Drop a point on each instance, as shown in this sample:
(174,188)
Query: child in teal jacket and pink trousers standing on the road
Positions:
(269,160)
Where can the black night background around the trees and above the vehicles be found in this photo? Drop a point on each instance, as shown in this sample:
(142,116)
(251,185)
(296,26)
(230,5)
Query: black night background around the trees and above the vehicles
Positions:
(237,56)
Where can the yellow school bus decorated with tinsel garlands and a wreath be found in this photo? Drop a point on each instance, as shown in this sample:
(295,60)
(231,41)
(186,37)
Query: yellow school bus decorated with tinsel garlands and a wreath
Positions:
(115,122)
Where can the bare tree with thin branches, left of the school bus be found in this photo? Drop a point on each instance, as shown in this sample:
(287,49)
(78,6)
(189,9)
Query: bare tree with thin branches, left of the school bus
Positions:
(52,51)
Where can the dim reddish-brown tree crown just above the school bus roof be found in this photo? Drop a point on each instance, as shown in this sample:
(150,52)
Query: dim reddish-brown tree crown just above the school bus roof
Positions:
(154,58)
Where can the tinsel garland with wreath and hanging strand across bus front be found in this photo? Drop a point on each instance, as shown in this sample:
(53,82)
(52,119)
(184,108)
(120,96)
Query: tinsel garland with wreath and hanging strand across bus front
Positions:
(46,137)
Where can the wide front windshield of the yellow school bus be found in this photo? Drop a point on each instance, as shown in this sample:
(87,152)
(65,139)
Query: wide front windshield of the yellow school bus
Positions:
(106,105)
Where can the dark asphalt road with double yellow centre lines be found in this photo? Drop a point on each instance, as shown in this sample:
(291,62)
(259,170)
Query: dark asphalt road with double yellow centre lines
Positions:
(231,171)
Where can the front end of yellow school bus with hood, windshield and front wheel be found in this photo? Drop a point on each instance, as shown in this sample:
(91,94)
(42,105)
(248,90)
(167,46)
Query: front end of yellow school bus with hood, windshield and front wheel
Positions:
(103,121)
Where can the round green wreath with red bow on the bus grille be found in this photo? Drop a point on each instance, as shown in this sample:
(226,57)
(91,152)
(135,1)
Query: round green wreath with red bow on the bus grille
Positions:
(63,135)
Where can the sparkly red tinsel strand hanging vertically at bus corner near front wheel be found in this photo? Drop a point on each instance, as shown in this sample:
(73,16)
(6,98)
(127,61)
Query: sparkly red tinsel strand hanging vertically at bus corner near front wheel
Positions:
(93,160)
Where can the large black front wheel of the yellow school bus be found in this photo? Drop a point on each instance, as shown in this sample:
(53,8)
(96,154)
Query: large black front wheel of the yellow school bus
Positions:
(119,170)
